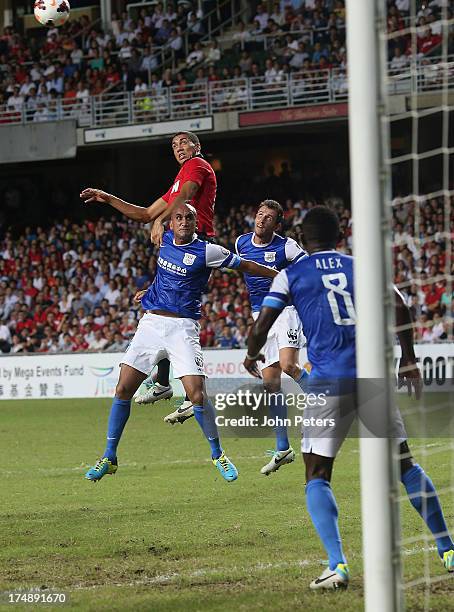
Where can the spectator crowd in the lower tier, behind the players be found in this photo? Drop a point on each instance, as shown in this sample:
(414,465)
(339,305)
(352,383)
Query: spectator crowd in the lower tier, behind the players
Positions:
(70,287)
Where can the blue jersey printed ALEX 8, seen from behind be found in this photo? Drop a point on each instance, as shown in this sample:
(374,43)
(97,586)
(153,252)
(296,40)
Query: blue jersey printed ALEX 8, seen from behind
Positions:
(320,286)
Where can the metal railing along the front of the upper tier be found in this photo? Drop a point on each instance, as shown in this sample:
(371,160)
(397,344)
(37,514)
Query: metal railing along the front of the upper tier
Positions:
(246,93)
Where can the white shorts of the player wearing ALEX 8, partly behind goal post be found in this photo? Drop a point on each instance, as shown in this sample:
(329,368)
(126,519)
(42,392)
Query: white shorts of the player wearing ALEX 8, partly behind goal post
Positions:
(325,438)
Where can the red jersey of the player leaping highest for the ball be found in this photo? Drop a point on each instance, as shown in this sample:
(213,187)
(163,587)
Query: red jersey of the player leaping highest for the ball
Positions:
(197,170)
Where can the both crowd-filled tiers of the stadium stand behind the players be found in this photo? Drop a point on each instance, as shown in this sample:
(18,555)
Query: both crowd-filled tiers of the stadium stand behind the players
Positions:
(78,279)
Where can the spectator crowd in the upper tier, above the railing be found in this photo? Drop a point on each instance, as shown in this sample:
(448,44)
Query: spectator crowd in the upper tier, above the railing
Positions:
(159,48)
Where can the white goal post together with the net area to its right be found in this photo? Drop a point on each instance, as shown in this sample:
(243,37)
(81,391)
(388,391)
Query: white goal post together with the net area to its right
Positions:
(403,208)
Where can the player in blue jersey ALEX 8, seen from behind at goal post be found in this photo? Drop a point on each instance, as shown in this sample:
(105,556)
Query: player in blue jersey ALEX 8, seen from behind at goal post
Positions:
(321,288)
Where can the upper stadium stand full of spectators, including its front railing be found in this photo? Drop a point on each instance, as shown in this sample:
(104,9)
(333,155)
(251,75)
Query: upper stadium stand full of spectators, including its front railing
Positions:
(165,57)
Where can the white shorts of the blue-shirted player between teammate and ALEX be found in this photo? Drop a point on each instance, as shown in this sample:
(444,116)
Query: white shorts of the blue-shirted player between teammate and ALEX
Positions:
(286,332)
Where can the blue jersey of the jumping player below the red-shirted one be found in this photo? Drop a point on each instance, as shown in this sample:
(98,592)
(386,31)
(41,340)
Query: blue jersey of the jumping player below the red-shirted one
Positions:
(182,275)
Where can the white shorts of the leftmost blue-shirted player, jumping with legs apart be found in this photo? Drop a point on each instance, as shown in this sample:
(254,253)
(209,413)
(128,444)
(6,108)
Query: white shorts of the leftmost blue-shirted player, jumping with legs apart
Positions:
(158,337)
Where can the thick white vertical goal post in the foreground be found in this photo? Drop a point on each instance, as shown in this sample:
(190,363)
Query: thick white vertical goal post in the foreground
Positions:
(372,295)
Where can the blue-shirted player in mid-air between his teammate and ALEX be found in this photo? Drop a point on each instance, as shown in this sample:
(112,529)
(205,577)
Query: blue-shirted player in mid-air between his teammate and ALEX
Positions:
(285,338)
